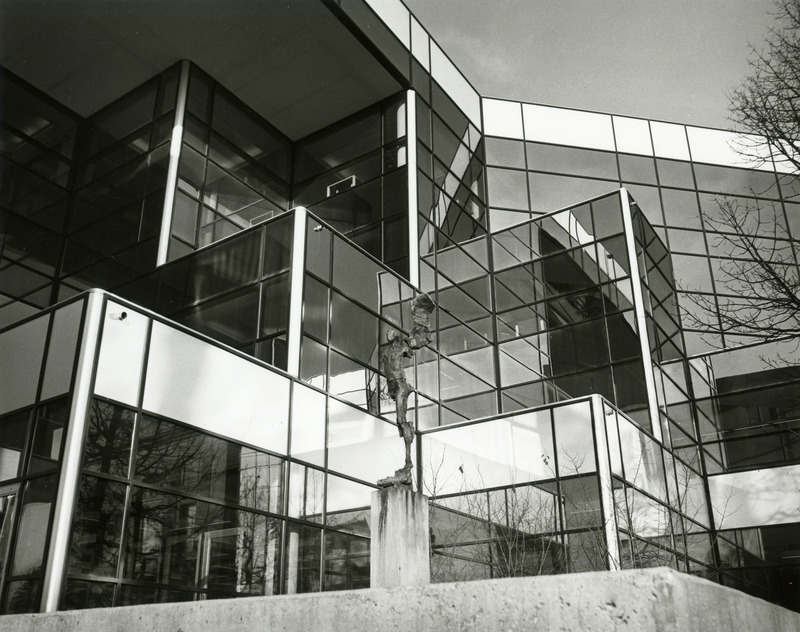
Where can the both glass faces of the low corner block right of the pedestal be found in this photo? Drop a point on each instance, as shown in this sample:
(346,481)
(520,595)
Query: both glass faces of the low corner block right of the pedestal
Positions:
(529,501)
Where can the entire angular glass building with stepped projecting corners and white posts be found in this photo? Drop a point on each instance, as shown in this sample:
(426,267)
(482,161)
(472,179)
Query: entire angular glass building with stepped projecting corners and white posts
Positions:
(208,228)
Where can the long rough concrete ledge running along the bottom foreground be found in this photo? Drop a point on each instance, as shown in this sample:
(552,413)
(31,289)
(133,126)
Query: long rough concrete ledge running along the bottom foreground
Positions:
(642,600)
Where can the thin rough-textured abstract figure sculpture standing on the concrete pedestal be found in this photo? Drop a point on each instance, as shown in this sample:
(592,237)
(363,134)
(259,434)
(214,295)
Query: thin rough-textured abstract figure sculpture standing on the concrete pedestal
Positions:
(399,348)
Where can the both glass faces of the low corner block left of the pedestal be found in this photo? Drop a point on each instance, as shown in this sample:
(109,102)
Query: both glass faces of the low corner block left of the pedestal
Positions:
(203,473)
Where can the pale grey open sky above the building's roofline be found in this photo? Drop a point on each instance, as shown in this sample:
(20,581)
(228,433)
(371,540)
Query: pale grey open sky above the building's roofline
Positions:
(673,60)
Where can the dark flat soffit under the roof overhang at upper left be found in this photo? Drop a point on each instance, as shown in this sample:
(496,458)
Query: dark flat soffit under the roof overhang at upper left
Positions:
(291,61)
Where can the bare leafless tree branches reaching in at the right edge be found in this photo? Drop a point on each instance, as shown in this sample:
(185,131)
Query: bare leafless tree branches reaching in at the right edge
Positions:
(757,285)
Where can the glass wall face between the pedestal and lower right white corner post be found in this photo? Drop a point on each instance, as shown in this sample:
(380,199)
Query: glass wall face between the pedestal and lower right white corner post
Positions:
(515,496)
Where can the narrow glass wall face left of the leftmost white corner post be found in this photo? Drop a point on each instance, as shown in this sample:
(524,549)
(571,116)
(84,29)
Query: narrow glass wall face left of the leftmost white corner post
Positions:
(35,396)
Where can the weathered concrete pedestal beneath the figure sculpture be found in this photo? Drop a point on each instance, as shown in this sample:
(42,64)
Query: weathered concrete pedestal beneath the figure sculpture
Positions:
(400,539)
